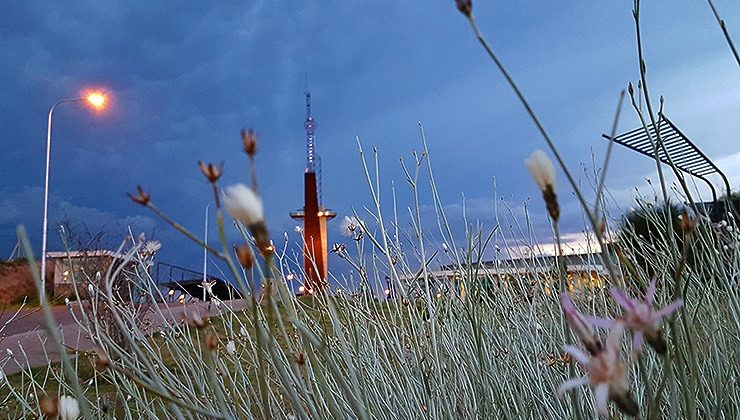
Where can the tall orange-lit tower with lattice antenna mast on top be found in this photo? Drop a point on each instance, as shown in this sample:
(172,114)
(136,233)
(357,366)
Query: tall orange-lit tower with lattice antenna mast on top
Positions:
(313,214)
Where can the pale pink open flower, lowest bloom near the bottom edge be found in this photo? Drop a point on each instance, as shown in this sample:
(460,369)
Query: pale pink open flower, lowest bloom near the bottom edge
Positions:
(607,375)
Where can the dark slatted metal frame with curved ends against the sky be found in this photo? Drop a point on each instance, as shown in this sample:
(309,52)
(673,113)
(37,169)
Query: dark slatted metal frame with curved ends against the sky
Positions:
(685,155)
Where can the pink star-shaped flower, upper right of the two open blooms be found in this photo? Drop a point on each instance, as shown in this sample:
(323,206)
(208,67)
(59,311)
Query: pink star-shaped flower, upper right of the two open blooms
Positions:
(640,317)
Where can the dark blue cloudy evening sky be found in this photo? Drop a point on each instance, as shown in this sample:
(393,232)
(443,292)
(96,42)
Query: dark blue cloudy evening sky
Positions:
(185,77)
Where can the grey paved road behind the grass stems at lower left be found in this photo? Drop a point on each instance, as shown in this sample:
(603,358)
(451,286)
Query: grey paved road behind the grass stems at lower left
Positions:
(24,342)
